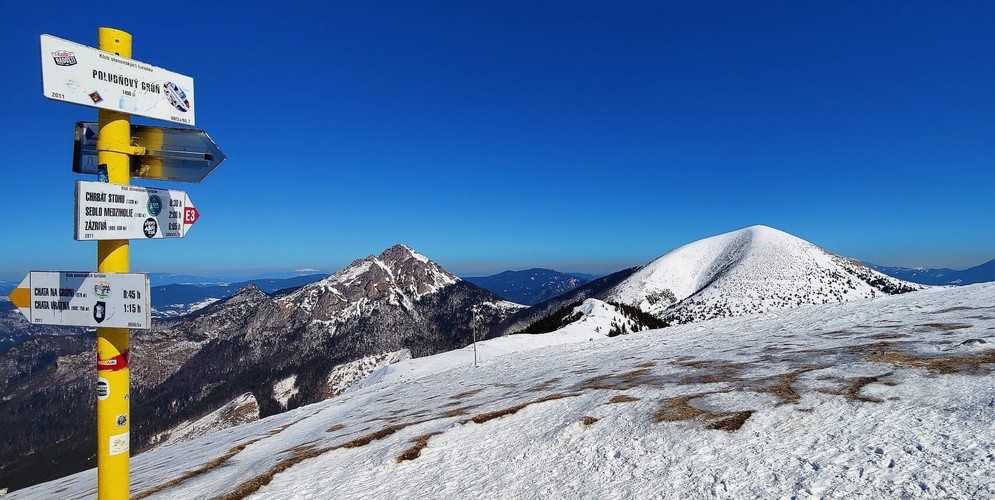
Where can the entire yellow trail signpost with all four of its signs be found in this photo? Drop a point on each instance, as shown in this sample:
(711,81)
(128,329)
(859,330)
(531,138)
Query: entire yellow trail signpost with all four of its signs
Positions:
(112,213)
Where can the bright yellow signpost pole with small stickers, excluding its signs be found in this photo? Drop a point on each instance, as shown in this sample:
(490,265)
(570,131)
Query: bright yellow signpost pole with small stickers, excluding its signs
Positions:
(113,408)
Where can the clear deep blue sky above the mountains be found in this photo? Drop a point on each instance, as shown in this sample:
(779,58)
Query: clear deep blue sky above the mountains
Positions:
(582,136)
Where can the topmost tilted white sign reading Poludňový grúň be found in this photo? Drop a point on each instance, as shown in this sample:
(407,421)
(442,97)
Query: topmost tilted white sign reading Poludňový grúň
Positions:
(75,73)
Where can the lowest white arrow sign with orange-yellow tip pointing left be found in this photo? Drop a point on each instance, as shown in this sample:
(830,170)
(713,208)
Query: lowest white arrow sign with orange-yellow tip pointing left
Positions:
(110,300)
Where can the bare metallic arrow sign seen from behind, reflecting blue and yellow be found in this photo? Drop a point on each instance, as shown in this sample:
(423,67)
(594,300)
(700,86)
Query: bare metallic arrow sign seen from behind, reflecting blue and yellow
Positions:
(171,154)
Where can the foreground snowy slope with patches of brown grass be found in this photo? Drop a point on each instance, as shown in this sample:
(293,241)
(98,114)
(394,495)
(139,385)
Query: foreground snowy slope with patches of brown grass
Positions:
(891,397)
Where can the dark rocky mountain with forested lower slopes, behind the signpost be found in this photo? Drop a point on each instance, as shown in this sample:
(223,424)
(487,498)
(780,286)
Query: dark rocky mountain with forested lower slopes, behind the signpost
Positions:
(282,351)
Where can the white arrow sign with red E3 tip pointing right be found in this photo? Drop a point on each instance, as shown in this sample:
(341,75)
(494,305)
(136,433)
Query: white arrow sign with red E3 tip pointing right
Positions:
(117,212)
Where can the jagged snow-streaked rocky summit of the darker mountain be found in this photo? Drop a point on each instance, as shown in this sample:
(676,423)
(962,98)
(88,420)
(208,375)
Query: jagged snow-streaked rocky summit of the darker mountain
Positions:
(398,276)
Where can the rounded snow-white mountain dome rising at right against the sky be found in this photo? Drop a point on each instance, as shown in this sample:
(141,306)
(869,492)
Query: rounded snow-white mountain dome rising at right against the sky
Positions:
(752,270)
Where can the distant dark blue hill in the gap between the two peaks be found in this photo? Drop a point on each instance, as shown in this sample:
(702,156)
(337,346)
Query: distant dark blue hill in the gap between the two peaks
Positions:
(530,286)
